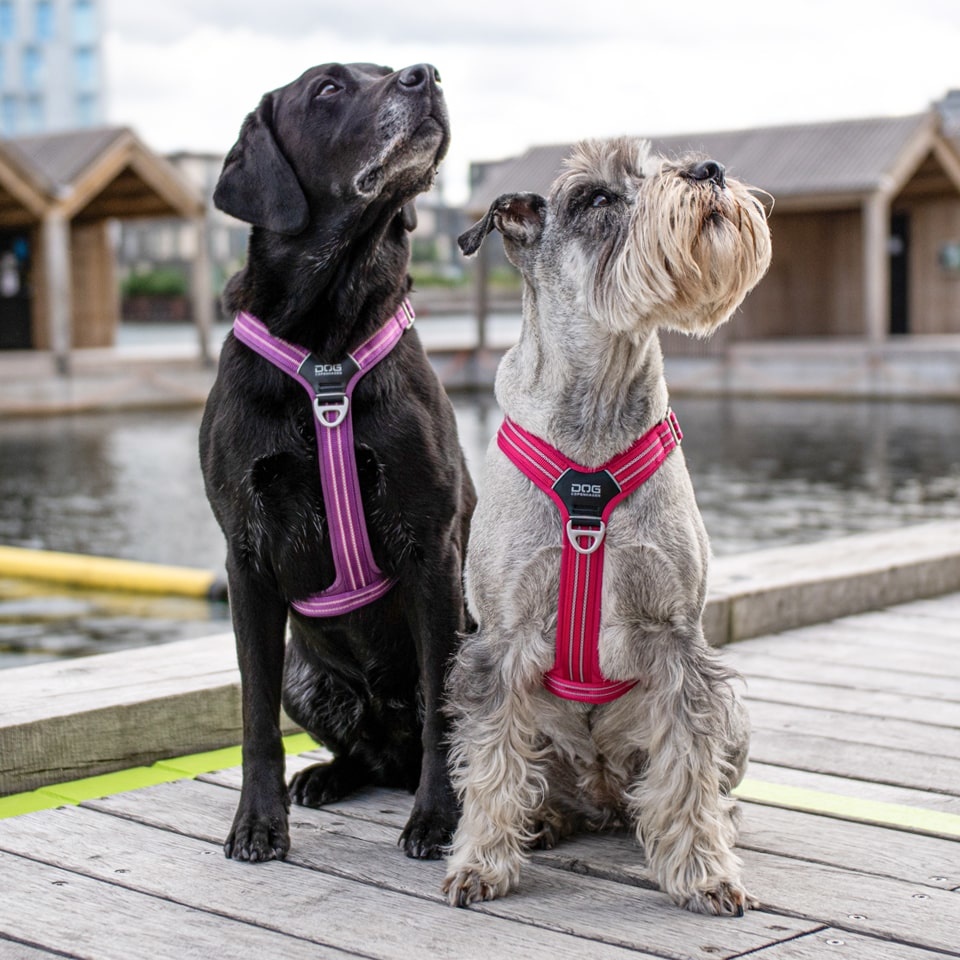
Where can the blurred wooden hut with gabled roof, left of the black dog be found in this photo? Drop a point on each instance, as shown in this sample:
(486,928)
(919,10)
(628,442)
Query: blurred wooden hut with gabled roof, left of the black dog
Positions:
(59,194)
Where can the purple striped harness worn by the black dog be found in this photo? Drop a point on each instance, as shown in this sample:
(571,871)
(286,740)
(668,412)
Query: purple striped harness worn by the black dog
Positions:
(330,385)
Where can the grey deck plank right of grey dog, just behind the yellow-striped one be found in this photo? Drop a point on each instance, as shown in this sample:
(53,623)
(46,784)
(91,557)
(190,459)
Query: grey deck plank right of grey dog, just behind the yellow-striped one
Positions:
(855,760)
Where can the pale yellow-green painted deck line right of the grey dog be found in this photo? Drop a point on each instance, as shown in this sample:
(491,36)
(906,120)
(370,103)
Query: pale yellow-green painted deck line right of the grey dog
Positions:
(874,812)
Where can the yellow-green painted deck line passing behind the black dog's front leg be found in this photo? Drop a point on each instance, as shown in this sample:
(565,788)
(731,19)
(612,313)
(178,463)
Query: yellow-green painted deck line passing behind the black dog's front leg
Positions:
(163,771)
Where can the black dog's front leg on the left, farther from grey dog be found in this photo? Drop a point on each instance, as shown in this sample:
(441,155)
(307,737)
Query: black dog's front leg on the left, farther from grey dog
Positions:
(259,830)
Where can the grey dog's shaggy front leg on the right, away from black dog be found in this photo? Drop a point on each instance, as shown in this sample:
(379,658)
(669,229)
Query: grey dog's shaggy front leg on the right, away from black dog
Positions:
(684,817)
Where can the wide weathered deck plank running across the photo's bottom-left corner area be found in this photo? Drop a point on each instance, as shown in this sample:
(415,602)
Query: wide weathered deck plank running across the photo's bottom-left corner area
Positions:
(81,917)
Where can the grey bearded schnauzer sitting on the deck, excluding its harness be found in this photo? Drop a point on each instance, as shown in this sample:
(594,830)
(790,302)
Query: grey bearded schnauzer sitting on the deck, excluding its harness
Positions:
(626,242)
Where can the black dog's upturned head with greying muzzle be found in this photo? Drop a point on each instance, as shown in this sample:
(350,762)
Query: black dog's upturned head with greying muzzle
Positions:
(344,142)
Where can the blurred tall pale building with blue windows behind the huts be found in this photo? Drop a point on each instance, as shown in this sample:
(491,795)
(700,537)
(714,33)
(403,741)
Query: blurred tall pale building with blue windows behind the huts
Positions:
(51,66)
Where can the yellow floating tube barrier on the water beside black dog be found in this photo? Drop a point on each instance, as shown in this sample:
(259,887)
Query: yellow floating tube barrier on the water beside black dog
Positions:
(109,573)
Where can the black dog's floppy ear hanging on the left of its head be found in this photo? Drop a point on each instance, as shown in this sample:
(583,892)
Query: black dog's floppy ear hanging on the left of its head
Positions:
(257,184)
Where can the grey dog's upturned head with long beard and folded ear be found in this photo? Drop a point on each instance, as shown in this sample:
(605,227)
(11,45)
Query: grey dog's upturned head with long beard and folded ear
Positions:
(634,240)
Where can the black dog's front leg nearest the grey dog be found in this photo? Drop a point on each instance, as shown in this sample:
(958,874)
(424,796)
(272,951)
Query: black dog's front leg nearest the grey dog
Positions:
(435,627)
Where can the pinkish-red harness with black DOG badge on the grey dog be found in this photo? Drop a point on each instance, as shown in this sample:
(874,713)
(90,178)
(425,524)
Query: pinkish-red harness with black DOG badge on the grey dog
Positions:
(586,499)
